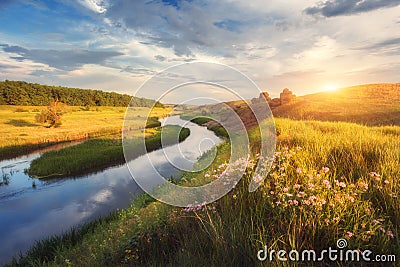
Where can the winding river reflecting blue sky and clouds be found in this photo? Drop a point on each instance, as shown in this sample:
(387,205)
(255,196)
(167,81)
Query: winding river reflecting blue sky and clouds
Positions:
(29,213)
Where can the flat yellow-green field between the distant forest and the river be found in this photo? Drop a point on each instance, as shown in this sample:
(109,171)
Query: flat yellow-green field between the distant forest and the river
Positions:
(19,133)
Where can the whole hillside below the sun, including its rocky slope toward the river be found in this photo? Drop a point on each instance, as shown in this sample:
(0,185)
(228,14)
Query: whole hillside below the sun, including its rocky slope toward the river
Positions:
(372,104)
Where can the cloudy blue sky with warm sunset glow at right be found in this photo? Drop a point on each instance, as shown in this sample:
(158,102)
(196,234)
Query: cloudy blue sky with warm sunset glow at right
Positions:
(304,45)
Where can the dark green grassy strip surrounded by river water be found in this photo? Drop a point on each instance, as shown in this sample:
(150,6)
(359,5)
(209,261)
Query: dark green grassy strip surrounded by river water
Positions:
(97,154)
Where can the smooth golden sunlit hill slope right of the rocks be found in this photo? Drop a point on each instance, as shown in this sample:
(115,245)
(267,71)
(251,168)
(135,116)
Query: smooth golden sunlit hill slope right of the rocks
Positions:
(372,104)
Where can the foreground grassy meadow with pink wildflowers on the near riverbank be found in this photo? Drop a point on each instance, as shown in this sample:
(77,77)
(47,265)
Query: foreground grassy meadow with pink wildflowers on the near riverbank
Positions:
(329,180)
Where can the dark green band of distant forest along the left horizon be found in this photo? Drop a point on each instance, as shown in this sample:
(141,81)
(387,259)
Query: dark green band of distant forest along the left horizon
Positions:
(33,94)
